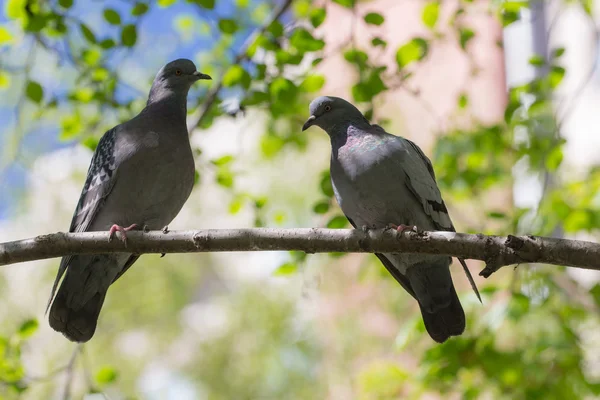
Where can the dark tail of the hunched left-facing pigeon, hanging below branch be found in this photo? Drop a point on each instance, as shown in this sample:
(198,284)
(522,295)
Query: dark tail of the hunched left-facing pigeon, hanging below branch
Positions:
(442,312)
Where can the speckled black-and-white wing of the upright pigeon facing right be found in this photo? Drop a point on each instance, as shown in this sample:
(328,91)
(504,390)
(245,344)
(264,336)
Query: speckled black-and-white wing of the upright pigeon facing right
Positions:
(98,184)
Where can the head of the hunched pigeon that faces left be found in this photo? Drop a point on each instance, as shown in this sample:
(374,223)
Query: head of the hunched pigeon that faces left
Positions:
(327,112)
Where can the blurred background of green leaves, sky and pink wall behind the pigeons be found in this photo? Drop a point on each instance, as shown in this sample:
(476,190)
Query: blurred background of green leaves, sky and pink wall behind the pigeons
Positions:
(503,96)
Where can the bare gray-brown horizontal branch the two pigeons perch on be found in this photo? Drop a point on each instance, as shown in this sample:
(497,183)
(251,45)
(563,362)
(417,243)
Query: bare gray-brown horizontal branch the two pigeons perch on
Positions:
(495,251)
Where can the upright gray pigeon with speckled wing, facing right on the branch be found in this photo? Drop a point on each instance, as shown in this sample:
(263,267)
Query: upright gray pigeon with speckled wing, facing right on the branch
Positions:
(141,174)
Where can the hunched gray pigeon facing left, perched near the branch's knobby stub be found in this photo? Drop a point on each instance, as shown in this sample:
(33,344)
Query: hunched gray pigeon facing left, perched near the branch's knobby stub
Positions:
(380,179)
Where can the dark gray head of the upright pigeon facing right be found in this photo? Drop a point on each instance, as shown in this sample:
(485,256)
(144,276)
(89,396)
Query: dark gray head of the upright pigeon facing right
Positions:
(175,78)
